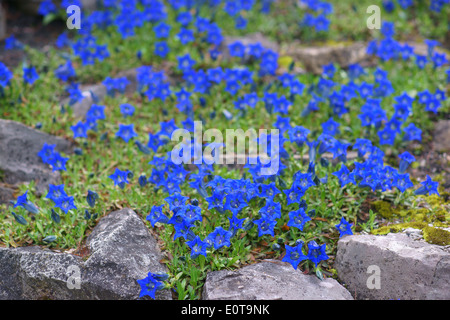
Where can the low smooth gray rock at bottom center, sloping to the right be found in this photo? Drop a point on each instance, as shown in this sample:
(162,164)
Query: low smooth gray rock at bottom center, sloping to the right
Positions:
(270,280)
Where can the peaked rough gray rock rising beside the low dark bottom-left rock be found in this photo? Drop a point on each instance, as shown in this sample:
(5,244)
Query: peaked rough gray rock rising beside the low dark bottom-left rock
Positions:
(122,251)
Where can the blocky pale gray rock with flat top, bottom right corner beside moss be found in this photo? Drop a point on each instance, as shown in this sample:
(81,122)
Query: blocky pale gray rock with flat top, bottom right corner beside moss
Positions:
(407,269)
